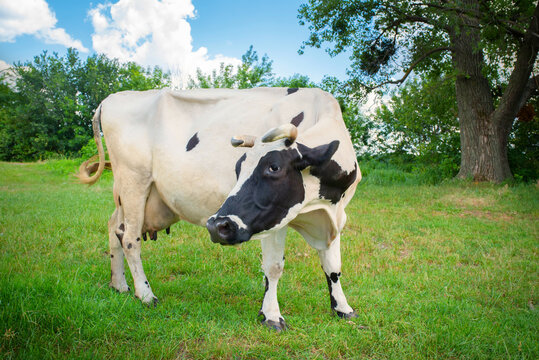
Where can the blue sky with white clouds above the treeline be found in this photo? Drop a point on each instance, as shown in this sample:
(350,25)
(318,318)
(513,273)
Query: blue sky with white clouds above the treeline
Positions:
(176,34)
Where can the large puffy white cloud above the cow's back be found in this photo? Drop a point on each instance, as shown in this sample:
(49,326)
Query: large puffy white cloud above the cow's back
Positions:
(152,32)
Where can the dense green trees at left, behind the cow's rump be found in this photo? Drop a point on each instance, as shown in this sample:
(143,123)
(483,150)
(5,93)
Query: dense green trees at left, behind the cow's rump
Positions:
(50,107)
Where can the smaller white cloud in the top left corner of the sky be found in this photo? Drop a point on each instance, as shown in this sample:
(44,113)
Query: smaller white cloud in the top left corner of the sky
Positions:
(33,17)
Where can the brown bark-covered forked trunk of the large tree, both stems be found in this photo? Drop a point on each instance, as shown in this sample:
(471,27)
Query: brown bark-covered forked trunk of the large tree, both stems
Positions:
(484,130)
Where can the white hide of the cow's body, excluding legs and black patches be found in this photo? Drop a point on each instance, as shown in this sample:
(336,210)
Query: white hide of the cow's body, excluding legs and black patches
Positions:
(147,133)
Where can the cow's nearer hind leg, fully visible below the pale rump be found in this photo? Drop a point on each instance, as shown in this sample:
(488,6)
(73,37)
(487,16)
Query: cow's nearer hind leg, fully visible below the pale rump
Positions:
(134,193)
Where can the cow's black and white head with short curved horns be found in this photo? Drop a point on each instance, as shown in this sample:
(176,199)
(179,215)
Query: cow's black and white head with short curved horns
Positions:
(270,191)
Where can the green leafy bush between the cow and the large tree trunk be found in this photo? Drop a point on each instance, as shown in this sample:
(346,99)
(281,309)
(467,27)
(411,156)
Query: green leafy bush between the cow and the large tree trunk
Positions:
(421,119)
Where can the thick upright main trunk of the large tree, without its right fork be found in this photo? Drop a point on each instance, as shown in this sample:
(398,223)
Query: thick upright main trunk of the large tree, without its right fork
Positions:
(483,143)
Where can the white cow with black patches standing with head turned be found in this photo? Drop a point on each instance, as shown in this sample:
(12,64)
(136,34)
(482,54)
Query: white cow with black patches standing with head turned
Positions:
(291,164)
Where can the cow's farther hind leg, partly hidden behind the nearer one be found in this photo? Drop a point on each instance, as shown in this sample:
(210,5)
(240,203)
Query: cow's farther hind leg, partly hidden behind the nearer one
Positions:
(116,233)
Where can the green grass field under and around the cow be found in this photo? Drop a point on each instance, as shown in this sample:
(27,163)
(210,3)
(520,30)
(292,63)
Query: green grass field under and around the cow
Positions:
(434,272)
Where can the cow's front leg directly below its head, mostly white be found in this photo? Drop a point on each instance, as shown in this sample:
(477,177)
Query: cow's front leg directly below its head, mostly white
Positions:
(272,265)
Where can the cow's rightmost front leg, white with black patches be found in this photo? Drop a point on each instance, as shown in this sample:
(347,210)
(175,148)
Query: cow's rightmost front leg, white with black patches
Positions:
(331,264)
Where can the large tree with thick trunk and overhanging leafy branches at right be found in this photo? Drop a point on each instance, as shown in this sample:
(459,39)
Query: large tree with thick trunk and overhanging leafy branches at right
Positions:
(489,47)
